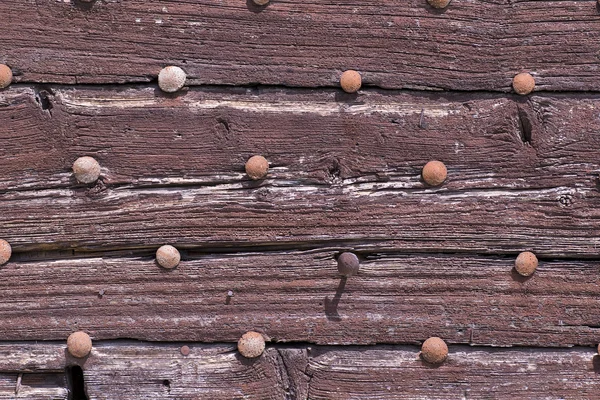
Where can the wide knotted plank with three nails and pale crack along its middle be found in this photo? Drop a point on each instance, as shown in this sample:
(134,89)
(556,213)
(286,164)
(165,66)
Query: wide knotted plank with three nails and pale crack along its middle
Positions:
(342,174)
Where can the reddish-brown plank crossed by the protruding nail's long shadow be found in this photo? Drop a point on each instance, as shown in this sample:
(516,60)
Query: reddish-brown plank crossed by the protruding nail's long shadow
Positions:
(298,296)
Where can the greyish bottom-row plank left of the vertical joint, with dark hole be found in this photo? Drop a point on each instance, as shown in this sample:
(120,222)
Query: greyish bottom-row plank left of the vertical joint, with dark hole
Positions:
(135,370)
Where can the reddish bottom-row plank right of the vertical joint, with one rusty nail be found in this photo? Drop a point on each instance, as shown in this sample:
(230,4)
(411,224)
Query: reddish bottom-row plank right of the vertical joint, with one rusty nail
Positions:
(397,373)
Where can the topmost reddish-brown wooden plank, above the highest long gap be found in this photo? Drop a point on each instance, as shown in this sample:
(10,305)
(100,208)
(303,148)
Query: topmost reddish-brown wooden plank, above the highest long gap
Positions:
(473,45)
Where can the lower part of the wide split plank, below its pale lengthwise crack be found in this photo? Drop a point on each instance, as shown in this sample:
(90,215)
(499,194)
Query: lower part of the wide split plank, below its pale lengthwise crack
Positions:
(365,218)
